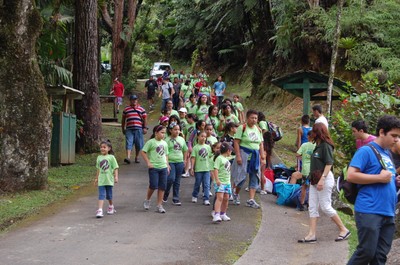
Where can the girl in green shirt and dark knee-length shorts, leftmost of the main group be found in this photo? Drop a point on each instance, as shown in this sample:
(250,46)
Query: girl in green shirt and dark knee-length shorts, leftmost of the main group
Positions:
(155,153)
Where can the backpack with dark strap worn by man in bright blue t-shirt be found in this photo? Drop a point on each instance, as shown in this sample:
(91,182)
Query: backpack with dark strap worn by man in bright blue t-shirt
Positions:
(348,191)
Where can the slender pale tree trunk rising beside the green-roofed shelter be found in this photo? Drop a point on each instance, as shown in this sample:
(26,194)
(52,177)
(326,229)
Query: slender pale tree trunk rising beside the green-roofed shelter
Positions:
(334,58)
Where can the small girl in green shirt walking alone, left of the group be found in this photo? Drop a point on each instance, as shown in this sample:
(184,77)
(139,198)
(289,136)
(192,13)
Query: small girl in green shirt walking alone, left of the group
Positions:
(106,176)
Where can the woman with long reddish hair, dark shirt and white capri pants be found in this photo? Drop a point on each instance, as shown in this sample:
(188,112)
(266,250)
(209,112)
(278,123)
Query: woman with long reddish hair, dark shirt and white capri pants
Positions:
(321,190)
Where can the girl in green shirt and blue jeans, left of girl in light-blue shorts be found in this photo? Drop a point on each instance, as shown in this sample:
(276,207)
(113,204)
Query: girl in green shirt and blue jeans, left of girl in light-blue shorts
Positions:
(200,159)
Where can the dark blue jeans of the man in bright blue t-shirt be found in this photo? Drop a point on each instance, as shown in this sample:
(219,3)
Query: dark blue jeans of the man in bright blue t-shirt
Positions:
(375,236)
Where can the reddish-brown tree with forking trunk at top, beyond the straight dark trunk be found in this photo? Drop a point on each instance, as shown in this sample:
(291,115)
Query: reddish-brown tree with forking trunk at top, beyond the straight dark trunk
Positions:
(121,32)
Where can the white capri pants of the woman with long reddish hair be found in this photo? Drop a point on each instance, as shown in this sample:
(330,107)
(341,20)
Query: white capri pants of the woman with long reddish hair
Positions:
(322,199)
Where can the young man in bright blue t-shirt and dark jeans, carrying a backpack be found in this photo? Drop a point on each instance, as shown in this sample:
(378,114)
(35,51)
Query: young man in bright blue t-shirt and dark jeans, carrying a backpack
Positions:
(376,199)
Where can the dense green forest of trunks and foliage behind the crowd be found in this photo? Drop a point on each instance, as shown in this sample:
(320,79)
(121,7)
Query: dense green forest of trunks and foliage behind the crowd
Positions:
(250,42)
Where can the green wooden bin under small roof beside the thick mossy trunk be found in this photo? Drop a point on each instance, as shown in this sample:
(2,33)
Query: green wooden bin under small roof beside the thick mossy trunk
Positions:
(62,149)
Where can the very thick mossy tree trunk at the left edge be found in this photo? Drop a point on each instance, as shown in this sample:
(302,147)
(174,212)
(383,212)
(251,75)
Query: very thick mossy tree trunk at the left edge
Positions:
(24,107)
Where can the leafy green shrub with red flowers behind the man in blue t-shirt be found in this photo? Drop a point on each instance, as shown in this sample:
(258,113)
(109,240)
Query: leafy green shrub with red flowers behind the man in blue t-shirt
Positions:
(375,100)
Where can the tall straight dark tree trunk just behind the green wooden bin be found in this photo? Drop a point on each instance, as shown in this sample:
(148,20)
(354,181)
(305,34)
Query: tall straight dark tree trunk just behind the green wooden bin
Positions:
(86,73)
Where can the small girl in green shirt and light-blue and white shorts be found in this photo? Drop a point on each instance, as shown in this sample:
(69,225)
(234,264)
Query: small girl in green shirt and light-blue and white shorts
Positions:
(222,182)
